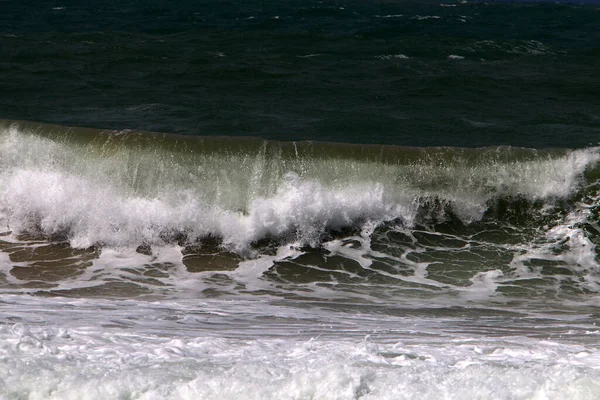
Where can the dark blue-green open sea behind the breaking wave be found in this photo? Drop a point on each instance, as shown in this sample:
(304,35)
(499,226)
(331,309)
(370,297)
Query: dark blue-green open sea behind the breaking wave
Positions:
(397,72)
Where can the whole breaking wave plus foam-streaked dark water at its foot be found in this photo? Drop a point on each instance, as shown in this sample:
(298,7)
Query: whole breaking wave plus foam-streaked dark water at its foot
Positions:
(498,218)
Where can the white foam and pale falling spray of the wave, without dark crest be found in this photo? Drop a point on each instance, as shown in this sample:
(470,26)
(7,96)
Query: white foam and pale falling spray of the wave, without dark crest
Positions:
(126,196)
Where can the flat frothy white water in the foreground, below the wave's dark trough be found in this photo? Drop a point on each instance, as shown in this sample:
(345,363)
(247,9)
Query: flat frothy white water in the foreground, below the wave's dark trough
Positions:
(99,349)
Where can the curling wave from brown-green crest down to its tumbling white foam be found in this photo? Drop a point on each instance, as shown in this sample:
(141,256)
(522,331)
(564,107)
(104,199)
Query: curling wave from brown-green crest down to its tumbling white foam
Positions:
(125,188)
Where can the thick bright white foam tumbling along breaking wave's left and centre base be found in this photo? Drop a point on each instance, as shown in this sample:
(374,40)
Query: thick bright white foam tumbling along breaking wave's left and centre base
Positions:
(54,202)
